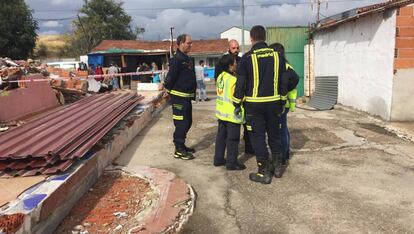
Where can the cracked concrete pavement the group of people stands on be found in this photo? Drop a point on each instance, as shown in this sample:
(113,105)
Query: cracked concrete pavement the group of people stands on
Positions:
(348,175)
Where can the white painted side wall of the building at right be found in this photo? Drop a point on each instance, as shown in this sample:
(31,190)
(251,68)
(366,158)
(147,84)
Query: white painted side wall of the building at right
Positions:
(361,54)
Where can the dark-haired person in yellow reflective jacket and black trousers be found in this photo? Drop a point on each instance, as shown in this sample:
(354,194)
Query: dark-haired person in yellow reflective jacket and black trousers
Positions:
(228,134)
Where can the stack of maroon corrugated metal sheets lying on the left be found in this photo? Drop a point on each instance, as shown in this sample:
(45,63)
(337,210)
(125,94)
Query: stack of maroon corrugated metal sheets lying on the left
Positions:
(50,143)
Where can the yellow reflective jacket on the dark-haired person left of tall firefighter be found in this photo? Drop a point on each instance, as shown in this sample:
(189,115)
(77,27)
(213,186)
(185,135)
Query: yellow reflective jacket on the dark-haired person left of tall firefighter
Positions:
(224,103)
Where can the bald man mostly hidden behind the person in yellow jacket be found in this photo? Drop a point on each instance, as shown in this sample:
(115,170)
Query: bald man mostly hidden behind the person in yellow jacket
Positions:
(234,50)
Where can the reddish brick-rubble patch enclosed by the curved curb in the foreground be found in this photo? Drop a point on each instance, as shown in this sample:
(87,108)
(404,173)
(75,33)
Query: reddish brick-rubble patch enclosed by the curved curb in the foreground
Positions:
(110,206)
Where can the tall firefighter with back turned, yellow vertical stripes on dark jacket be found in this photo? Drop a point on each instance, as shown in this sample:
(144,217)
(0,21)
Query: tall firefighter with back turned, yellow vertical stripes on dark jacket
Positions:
(260,85)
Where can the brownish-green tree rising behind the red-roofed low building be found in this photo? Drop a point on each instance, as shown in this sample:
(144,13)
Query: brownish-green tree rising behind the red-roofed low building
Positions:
(100,20)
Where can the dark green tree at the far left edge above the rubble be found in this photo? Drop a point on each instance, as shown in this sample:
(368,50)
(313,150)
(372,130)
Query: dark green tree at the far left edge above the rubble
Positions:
(17,29)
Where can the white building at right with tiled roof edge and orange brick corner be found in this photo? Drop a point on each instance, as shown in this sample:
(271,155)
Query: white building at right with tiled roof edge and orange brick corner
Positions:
(371,51)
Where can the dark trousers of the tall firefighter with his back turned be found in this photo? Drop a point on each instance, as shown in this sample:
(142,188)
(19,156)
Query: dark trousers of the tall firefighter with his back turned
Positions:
(264,119)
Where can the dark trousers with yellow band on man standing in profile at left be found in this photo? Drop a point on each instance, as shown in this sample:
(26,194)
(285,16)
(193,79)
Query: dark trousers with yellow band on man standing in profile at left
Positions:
(183,118)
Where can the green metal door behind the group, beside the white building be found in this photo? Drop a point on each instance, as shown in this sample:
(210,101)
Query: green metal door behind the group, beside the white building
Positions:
(294,40)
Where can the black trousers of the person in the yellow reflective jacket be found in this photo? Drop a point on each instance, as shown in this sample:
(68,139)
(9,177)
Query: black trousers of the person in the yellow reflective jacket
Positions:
(228,136)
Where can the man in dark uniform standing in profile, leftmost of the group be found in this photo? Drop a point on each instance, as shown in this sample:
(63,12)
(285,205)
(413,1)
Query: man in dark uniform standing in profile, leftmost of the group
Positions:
(180,84)
